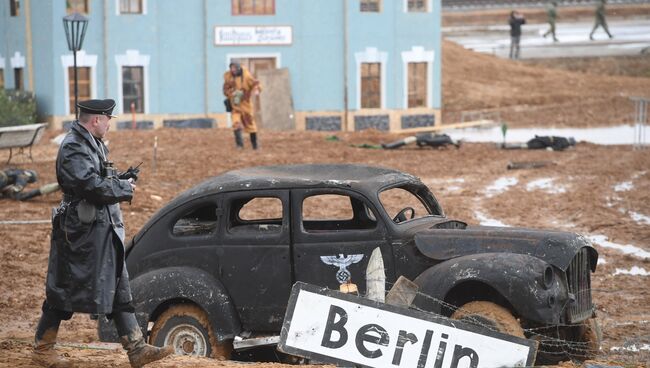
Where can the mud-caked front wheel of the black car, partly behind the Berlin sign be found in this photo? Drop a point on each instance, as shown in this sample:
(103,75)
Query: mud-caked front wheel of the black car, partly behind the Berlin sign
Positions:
(491,316)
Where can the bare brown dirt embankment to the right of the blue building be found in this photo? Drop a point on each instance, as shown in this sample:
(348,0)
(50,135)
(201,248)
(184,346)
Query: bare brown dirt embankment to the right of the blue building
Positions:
(526,95)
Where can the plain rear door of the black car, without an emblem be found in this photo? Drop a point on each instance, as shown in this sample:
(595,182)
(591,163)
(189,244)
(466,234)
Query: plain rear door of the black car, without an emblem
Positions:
(255,262)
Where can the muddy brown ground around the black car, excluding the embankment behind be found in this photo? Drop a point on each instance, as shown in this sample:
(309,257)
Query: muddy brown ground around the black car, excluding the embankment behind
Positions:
(585,195)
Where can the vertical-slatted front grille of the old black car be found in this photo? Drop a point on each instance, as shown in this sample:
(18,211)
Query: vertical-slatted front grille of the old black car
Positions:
(579,279)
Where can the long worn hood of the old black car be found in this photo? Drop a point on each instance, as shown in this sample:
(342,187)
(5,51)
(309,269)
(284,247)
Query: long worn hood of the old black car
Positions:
(555,247)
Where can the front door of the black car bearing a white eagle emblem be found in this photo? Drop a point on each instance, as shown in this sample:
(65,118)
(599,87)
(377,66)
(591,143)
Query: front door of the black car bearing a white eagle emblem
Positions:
(334,234)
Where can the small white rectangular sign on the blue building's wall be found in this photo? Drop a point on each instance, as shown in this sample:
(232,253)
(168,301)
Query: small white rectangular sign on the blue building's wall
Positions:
(252,35)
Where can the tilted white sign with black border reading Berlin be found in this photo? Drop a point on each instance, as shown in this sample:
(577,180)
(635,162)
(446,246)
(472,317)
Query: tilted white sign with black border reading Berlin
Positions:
(330,326)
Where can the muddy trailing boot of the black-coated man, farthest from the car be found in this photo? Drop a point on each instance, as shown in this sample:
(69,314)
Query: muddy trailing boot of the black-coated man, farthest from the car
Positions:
(44,354)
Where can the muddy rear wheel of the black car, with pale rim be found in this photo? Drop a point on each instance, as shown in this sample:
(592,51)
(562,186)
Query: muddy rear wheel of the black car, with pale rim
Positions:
(187,329)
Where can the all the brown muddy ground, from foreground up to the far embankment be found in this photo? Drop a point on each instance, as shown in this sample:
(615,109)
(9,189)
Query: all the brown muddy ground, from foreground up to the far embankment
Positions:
(591,189)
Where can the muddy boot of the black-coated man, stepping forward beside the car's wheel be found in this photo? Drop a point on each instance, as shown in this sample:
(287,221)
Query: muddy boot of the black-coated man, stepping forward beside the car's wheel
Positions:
(139,352)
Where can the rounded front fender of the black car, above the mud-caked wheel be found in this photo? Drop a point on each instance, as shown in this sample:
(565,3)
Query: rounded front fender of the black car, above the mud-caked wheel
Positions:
(517,278)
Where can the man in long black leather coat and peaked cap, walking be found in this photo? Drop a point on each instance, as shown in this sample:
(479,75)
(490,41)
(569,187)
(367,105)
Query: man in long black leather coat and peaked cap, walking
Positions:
(86,270)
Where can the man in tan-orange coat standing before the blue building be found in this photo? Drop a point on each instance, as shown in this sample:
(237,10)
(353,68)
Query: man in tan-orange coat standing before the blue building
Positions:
(239,86)
